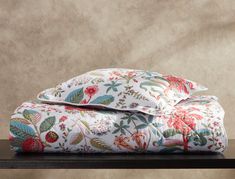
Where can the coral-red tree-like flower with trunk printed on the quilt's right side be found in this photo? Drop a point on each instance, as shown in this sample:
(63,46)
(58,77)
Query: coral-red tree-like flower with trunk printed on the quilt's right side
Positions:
(183,121)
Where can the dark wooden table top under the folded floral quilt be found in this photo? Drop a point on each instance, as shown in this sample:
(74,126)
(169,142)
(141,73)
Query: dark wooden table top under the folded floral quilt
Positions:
(9,159)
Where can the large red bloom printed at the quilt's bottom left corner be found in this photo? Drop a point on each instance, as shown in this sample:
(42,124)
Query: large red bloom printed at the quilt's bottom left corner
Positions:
(32,145)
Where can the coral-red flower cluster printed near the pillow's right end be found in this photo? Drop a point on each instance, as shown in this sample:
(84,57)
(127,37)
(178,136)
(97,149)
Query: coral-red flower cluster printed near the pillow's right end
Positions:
(179,84)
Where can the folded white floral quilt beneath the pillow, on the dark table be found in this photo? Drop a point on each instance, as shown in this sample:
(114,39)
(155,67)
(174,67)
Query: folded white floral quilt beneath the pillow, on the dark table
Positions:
(194,124)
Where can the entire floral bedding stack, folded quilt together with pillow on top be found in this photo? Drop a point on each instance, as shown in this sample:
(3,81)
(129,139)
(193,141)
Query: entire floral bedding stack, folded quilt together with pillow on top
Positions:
(118,111)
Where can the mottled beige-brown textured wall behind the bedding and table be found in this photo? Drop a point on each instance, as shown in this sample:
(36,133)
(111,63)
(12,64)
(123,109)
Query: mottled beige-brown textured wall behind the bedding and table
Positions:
(46,42)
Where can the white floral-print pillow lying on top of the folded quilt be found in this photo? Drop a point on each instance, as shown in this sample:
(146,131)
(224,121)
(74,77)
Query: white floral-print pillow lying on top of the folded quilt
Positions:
(122,89)
